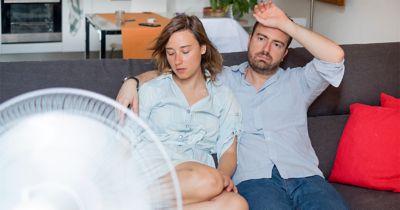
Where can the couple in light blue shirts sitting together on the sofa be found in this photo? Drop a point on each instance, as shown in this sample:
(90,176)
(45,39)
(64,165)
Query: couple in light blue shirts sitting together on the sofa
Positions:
(194,114)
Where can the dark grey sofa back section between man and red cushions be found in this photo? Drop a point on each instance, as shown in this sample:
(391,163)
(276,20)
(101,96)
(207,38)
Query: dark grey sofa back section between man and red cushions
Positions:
(360,82)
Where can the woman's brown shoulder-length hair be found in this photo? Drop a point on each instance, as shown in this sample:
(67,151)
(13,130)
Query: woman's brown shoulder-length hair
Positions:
(211,60)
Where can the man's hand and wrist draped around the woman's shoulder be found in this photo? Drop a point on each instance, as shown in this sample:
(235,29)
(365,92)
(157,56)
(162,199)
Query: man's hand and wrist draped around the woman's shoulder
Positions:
(128,94)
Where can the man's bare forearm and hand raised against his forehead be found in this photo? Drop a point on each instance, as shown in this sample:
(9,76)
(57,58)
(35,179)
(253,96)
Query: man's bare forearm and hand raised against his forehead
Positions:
(319,46)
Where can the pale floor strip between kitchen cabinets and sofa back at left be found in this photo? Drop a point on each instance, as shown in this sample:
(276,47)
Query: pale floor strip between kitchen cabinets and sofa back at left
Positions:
(53,56)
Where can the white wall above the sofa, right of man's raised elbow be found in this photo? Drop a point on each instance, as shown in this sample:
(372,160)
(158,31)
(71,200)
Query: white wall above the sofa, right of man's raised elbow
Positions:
(360,21)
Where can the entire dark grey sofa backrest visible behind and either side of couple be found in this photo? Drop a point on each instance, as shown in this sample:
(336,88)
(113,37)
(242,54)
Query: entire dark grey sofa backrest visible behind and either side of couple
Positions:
(370,69)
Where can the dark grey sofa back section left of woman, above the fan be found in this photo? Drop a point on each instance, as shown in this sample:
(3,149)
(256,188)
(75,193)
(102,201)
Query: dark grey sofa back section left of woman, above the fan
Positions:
(101,76)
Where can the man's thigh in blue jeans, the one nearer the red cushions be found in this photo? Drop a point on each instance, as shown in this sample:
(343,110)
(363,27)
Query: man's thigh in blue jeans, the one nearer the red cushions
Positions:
(315,193)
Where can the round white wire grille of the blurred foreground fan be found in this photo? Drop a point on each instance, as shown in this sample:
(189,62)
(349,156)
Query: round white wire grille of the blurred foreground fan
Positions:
(132,151)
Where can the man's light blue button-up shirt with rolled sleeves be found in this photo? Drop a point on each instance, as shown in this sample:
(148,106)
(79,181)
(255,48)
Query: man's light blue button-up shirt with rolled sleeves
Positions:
(274,119)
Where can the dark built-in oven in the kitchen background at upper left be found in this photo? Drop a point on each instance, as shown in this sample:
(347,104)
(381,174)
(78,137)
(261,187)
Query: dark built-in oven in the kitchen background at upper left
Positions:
(31,21)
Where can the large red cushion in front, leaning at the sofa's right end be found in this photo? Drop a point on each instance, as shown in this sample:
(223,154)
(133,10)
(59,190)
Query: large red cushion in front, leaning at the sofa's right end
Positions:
(369,150)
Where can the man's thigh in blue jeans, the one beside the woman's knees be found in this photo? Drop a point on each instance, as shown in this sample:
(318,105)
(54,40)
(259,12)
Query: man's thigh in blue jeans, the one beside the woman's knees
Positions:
(264,194)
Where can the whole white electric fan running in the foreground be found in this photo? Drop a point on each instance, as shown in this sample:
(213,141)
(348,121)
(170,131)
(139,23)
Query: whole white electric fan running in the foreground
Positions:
(70,149)
